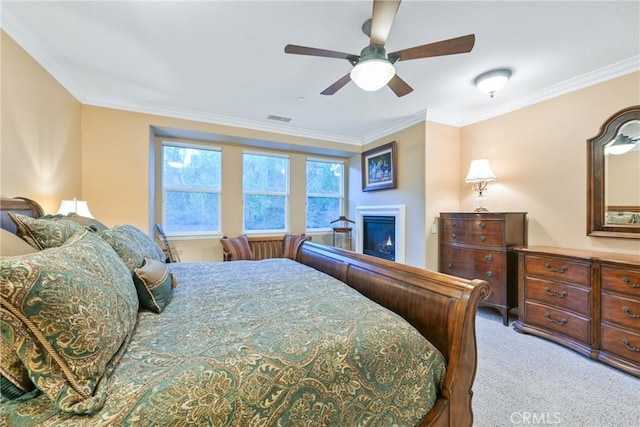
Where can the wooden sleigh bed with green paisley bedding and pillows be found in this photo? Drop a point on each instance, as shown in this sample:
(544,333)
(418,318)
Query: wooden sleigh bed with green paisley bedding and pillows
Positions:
(246,343)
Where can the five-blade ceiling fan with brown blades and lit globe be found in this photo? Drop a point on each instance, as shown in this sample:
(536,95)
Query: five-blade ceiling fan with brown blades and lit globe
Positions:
(373,68)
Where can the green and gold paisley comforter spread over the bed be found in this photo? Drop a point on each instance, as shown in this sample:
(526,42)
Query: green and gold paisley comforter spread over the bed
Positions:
(262,343)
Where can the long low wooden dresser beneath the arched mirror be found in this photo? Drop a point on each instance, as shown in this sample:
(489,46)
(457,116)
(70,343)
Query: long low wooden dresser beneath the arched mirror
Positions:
(587,301)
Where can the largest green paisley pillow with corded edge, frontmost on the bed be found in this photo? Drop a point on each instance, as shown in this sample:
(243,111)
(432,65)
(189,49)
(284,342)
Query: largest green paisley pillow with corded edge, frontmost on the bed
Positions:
(71,310)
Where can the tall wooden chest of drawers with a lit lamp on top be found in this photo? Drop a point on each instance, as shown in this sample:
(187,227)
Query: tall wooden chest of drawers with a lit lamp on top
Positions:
(481,246)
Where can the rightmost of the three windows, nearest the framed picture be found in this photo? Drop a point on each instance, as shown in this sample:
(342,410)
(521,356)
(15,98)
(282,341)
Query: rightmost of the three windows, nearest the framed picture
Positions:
(325,192)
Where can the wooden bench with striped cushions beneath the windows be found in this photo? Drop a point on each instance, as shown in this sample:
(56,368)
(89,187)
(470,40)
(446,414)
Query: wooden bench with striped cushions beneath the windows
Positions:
(261,247)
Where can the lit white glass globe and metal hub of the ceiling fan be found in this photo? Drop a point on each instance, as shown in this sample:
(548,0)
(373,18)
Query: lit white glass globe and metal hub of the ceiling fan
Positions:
(373,71)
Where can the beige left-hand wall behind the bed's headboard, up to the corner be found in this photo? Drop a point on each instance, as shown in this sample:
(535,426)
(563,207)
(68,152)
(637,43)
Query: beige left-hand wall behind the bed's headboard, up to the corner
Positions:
(40,136)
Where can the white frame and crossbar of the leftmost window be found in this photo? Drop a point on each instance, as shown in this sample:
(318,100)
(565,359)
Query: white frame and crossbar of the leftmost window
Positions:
(163,191)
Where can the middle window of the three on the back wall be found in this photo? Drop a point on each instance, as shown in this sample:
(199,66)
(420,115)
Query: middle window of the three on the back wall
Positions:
(265,185)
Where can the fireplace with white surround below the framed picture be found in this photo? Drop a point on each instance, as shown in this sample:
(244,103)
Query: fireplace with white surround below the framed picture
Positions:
(387,238)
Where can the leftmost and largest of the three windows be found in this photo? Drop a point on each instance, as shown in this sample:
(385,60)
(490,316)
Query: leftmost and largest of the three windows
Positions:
(191,177)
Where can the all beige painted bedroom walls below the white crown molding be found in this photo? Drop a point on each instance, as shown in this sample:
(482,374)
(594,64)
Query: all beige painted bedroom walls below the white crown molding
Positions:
(53,148)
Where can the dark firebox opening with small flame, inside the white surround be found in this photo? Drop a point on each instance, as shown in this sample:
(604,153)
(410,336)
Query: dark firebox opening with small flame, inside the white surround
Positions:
(379,236)
